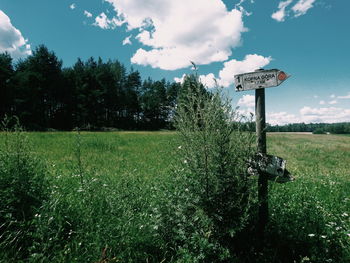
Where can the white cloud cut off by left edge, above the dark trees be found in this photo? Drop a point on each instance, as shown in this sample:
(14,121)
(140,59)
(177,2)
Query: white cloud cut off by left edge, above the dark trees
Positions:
(11,39)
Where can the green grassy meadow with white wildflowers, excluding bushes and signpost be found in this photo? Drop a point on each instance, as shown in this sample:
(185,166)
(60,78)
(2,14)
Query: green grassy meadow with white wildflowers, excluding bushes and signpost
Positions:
(106,190)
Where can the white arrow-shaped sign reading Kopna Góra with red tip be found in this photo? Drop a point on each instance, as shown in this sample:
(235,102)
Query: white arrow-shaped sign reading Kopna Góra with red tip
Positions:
(260,79)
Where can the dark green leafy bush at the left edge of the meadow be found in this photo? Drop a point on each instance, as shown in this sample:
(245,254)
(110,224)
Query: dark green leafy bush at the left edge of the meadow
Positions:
(23,192)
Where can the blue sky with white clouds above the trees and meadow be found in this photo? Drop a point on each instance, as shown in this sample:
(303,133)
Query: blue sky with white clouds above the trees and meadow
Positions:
(308,39)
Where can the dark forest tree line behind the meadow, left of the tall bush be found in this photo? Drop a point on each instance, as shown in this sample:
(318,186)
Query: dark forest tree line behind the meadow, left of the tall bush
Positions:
(91,94)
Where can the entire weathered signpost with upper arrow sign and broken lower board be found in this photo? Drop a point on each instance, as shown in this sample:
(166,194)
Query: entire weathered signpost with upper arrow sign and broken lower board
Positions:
(266,167)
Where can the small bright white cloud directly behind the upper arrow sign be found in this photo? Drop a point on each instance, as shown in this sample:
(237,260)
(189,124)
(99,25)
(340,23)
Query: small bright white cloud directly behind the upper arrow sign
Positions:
(233,67)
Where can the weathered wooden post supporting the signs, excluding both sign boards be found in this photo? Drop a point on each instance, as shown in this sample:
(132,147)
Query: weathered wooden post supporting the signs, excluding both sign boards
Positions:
(261,147)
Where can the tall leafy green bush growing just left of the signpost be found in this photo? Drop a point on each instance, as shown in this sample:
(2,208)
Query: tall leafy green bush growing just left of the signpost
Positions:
(210,198)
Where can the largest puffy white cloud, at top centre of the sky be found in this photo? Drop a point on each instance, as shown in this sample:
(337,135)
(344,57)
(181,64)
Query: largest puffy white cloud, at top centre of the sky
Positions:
(178,32)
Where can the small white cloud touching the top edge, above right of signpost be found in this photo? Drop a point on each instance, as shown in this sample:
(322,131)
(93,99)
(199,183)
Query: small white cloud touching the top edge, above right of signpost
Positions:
(299,8)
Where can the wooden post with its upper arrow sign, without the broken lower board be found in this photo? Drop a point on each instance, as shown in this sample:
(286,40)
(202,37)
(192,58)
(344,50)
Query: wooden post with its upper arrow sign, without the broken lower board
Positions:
(258,81)
